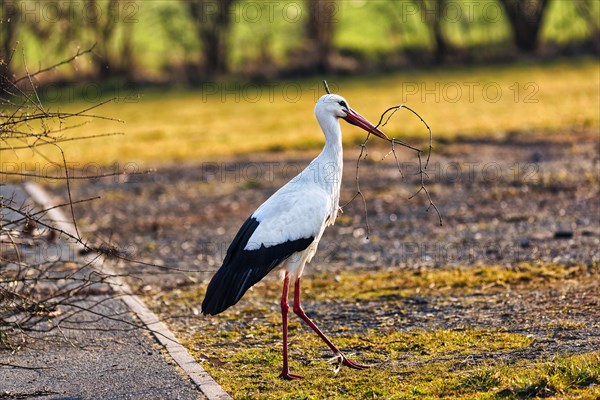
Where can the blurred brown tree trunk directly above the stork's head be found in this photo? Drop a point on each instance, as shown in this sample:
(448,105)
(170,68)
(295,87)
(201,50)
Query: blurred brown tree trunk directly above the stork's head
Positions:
(319,32)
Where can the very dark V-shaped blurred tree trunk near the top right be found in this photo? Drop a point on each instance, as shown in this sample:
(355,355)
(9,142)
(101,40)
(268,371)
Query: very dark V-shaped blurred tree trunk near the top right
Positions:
(525,17)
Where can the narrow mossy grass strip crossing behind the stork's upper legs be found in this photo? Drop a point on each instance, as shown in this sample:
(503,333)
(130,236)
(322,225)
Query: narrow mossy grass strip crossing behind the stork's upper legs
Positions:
(390,284)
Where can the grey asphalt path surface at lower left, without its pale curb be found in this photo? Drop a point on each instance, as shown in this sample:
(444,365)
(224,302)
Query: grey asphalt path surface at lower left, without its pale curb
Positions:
(99,351)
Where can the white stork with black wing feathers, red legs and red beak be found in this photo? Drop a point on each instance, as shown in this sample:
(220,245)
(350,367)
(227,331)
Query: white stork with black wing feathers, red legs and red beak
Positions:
(288,226)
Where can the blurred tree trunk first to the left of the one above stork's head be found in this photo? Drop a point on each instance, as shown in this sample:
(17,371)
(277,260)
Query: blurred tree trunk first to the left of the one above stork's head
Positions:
(212,20)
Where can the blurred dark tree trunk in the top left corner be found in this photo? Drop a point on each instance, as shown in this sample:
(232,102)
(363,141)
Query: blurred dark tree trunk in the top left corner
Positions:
(9,20)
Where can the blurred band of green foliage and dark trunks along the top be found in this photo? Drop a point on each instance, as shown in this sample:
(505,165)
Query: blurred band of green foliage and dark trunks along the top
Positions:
(193,41)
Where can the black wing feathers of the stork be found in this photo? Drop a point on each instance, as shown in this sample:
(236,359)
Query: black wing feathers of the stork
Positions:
(241,268)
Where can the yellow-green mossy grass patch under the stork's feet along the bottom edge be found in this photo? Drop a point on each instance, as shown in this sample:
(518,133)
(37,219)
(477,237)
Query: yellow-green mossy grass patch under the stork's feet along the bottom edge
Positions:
(423,364)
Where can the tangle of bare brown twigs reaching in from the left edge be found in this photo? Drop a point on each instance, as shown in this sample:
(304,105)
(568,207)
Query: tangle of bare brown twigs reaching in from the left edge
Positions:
(36,296)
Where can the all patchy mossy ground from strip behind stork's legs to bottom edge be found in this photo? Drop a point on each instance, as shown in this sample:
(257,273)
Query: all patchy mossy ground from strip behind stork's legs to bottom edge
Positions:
(241,348)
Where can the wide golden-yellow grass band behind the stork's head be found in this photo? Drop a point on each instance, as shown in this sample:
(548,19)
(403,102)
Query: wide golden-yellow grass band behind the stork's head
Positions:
(165,126)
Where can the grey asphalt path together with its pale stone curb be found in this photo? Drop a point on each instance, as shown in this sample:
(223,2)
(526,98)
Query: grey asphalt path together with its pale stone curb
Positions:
(97,358)
